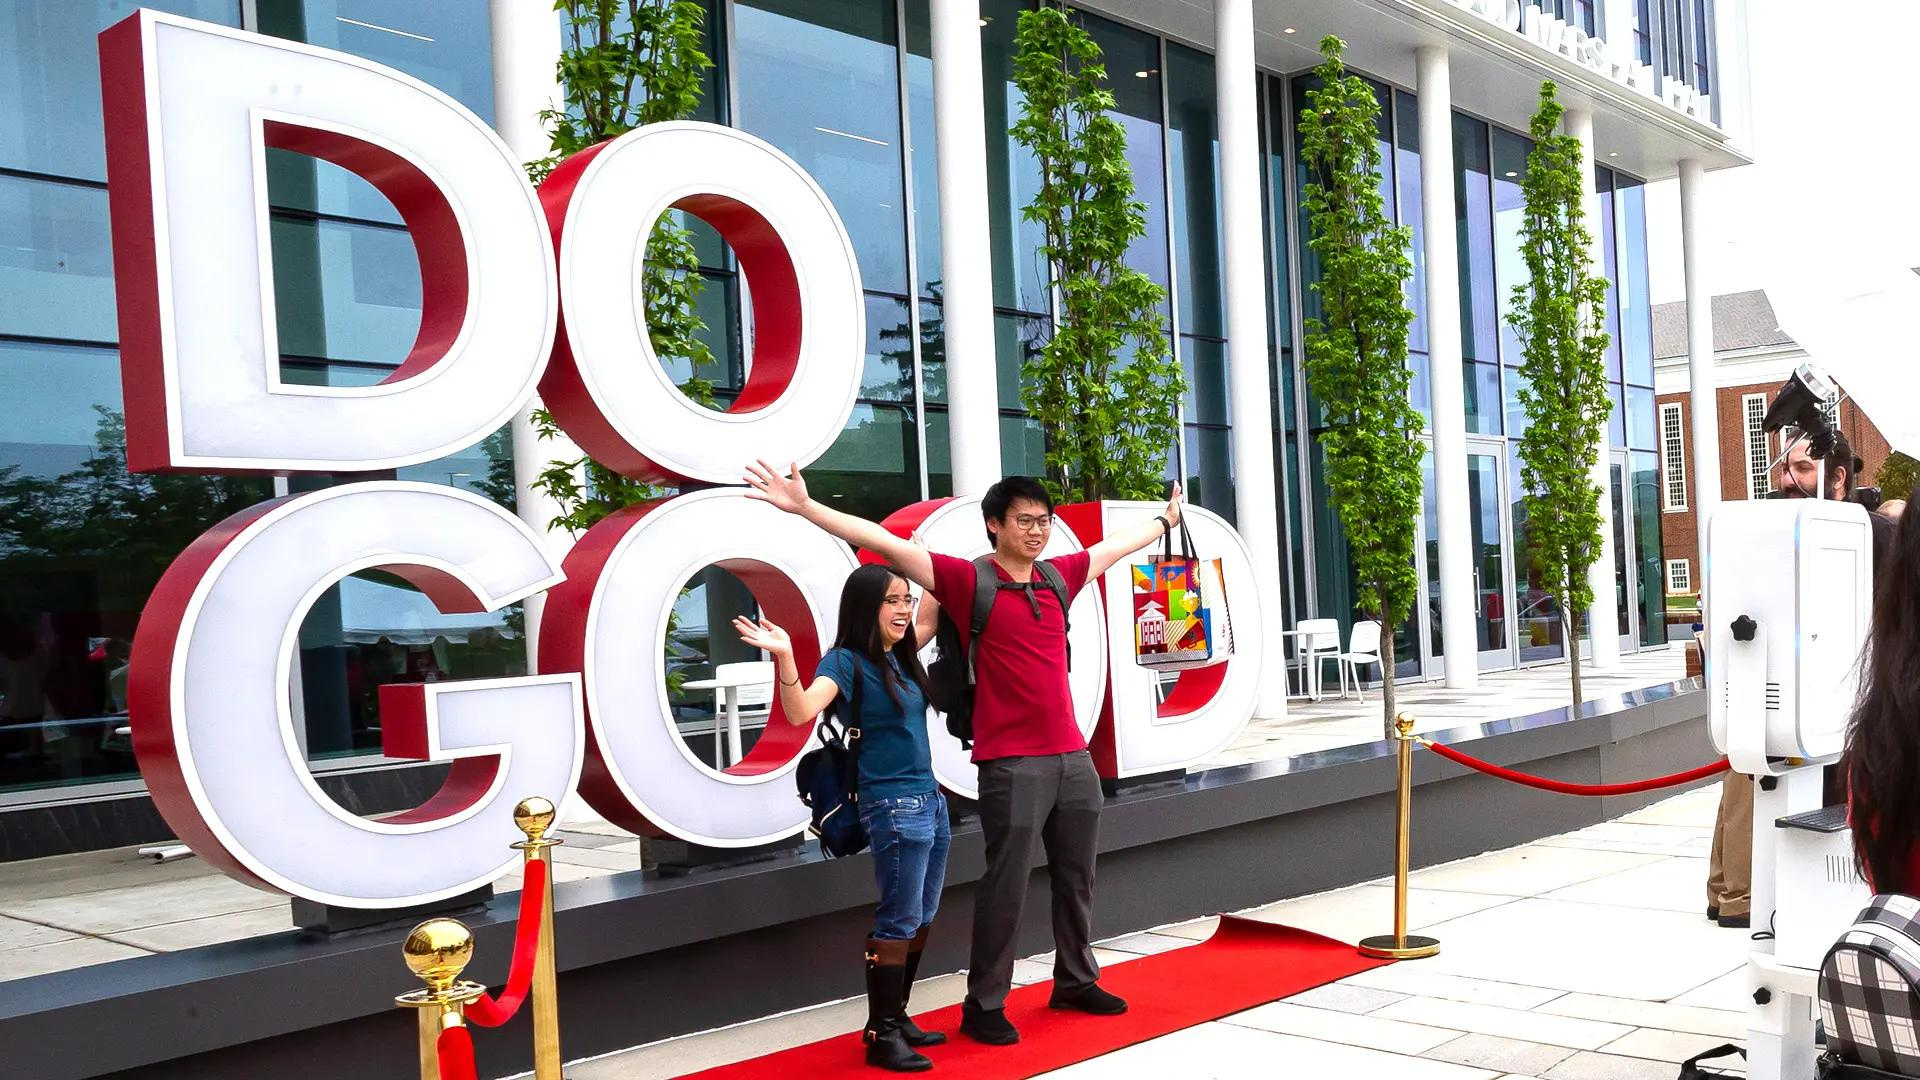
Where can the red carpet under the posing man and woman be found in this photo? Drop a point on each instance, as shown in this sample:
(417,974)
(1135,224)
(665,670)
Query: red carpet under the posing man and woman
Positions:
(1245,964)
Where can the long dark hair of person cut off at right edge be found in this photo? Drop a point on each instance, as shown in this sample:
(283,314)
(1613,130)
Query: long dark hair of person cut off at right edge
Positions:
(1883,762)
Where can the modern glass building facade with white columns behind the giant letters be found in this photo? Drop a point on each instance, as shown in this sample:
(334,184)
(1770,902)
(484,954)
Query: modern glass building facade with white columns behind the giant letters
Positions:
(853,91)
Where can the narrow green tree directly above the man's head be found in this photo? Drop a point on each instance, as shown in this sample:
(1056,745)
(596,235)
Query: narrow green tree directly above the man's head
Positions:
(1105,387)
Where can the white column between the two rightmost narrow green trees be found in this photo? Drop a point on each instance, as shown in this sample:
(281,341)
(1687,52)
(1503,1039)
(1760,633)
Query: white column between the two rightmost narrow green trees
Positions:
(1458,597)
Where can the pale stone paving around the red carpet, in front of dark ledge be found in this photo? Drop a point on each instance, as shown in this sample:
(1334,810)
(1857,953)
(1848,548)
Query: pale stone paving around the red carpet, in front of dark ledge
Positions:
(1575,958)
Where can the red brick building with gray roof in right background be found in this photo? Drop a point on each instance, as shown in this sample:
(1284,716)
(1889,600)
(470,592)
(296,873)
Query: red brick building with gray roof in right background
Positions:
(1752,358)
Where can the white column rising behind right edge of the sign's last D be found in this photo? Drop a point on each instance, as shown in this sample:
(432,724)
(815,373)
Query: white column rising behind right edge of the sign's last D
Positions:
(1249,362)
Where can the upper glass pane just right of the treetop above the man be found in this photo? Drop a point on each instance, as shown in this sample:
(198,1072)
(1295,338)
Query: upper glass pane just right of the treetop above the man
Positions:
(1134,76)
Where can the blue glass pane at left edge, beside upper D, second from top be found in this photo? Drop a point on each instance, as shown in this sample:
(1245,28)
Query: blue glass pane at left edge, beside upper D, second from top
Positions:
(57,262)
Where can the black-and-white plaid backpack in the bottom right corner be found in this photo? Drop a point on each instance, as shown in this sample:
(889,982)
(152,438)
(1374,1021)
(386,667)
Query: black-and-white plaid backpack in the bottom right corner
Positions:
(1871,994)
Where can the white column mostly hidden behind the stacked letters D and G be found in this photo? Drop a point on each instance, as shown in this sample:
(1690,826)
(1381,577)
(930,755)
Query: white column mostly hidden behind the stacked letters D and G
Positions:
(527,51)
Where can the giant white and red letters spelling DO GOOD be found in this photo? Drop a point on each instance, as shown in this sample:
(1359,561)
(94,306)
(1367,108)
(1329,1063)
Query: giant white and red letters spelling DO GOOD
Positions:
(521,291)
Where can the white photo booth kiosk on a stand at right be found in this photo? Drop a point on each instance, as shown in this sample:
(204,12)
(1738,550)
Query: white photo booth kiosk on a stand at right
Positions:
(1788,601)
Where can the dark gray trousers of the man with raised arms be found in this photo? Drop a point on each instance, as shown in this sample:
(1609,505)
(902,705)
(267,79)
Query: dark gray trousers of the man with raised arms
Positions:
(1024,800)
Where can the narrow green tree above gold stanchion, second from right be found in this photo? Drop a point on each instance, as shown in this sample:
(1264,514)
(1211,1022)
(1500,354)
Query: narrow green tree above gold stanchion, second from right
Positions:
(1358,347)
